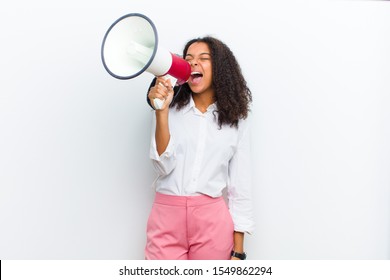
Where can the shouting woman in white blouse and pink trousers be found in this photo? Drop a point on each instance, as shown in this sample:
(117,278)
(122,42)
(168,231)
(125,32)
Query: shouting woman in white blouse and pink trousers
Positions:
(200,147)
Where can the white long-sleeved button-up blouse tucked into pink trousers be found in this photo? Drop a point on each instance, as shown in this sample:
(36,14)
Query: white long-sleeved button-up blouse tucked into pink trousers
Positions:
(201,158)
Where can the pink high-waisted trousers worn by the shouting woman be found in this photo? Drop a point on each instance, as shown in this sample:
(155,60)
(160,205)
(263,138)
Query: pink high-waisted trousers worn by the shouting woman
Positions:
(189,228)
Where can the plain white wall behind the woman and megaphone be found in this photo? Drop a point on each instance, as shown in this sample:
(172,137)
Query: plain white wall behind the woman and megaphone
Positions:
(75,177)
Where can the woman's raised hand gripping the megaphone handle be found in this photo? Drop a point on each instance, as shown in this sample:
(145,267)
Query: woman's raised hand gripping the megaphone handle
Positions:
(162,90)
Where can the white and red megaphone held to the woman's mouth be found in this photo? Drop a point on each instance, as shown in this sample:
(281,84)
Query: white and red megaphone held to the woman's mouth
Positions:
(130,47)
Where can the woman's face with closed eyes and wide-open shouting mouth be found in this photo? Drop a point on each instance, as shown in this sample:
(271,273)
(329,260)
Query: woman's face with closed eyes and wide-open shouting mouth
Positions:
(199,57)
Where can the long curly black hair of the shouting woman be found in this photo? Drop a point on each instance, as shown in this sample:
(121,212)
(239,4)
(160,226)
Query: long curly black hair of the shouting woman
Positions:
(232,94)
